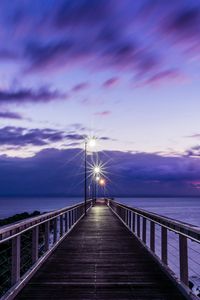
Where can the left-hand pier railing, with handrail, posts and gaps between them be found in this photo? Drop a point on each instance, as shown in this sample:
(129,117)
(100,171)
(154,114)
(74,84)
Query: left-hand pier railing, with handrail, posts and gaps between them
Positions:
(24,246)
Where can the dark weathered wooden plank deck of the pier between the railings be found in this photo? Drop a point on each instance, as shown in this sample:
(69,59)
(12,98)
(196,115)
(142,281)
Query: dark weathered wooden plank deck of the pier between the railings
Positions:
(99,259)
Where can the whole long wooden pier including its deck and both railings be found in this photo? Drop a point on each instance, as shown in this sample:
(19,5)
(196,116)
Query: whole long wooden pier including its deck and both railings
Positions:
(108,254)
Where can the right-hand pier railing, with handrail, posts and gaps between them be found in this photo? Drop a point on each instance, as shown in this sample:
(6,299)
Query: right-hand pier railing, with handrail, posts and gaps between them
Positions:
(175,245)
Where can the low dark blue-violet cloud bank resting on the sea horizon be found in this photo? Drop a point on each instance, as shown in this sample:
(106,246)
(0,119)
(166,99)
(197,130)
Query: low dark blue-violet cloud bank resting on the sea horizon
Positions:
(130,174)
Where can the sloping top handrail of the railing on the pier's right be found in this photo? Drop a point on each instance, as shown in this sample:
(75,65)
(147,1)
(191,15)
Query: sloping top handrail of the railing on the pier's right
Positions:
(190,231)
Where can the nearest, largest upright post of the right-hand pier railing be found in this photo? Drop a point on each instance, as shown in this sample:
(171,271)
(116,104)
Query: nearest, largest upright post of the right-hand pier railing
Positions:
(183,255)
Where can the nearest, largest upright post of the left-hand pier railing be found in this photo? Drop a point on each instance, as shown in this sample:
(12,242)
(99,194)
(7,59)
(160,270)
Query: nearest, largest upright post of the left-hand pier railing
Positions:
(15,272)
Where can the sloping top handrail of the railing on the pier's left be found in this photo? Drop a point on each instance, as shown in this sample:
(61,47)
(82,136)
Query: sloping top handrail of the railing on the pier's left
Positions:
(11,230)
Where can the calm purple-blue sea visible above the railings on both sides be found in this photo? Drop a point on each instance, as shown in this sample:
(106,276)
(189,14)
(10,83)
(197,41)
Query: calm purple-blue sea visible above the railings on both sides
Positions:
(185,209)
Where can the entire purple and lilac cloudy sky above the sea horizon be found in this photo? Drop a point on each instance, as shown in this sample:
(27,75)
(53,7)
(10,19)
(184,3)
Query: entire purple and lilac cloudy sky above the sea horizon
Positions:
(124,71)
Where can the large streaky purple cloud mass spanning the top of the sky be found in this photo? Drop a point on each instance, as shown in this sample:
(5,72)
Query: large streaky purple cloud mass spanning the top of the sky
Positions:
(99,35)
